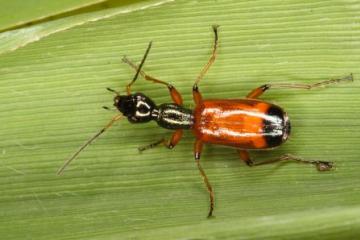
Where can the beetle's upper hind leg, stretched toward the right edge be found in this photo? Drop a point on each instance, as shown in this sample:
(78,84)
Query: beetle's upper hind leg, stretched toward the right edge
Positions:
(257,92)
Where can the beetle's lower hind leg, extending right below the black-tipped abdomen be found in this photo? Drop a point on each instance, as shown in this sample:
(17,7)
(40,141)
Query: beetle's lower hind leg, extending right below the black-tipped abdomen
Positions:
(320,165)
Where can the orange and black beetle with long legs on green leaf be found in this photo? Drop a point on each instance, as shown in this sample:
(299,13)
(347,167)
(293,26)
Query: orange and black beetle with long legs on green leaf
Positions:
(245,124)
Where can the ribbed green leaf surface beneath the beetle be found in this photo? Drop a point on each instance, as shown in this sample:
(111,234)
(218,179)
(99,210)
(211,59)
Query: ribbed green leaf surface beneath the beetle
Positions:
(52,91)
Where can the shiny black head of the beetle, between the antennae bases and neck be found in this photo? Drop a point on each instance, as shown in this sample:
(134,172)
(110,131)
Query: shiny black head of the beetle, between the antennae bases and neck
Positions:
(137,107)
